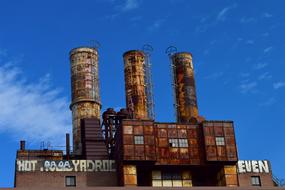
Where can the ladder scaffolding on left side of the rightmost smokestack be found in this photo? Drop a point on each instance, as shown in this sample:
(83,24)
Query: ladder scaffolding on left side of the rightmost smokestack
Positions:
(170,51)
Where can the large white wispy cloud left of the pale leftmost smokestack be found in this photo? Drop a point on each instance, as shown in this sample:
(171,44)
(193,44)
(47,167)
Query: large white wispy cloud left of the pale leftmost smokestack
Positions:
(32,111)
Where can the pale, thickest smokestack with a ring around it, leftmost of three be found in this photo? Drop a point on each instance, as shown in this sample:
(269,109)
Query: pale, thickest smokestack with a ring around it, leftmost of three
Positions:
(86,101)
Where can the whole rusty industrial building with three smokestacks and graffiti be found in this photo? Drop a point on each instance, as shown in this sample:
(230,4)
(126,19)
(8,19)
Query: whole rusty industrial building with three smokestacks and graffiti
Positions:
(128,147)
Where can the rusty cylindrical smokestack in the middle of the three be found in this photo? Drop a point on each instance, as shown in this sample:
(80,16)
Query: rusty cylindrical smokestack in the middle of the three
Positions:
(136,98)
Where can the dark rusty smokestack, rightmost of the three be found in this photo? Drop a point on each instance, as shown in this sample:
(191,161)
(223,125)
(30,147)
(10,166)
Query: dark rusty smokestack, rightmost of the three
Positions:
(184,87)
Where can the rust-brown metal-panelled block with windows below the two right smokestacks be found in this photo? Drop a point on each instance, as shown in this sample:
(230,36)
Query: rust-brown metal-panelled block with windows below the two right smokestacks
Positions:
(171,148)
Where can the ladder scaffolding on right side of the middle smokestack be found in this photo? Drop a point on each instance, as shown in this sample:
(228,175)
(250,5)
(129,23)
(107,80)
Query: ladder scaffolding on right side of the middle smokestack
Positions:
(147,49)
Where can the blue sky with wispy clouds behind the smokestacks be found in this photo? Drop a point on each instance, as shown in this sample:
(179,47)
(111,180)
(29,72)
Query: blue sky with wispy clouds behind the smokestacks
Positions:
(238,54)
